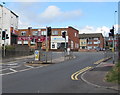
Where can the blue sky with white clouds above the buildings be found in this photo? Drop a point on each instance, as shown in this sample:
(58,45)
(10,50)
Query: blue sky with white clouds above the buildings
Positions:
(87,17)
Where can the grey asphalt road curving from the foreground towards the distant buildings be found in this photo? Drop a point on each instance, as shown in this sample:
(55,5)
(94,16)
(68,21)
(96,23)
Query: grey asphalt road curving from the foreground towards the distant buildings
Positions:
(55,78)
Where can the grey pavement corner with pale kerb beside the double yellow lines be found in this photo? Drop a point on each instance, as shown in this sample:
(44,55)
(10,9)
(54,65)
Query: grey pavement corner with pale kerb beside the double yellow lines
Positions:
(96,76)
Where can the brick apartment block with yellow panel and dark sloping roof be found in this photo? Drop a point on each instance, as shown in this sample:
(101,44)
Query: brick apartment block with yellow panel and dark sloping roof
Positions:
(91,42)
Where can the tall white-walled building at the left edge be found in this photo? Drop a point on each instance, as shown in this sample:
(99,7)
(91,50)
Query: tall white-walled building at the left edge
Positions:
(8,23)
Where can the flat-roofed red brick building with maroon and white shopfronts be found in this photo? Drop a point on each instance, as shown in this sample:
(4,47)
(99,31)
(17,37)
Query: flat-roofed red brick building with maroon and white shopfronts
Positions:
(36,38)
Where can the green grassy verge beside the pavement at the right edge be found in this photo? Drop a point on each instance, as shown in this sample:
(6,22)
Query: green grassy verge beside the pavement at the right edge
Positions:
(114,75)
